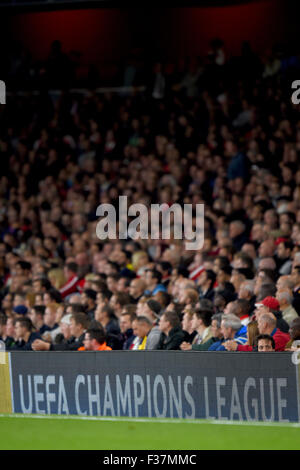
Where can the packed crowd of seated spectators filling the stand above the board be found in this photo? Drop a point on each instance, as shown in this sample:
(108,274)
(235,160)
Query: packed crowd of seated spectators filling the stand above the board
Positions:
(195,136)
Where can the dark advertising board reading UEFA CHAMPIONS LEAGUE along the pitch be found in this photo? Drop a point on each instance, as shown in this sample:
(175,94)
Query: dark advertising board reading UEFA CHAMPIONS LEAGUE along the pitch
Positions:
(207,385)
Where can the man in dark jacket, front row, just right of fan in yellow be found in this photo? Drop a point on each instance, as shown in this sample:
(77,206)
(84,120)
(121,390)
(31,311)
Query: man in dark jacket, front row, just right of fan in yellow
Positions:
(171,332)
